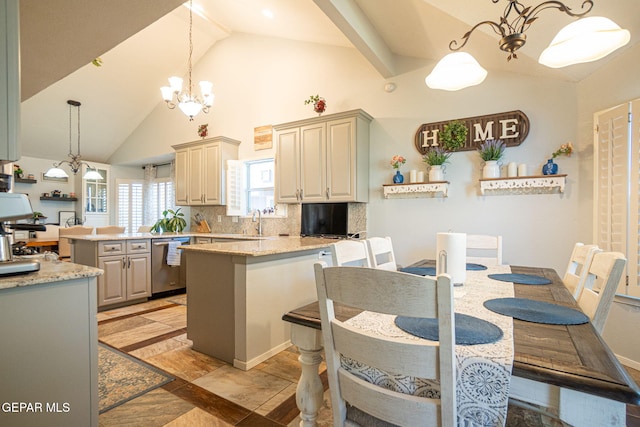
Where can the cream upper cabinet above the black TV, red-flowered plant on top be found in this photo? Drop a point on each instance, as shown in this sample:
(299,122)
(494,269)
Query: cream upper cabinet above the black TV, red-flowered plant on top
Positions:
(323,159)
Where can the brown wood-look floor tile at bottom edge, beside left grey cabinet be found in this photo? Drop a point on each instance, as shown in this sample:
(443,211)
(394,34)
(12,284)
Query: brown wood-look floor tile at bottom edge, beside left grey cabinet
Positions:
(156,408)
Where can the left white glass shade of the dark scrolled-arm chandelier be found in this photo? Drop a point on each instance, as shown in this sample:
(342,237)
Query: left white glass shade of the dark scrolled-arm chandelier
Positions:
(456,71)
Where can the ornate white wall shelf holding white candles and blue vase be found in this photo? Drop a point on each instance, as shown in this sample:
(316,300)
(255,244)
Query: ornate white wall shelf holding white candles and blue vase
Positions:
(543,184)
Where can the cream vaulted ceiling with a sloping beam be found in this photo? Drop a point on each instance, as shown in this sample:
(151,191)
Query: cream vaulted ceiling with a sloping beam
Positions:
(142,42)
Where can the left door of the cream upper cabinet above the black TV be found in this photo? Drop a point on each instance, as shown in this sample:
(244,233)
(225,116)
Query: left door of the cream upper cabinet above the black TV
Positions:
(287,165)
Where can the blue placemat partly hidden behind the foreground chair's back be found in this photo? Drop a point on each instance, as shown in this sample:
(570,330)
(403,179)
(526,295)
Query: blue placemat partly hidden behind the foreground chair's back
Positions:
(469,330)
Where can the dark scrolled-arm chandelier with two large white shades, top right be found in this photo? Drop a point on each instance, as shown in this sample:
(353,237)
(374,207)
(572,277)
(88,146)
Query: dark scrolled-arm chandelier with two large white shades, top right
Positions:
(584,40)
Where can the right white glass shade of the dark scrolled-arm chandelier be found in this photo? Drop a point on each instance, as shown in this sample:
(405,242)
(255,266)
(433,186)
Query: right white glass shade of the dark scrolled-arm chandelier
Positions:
(584,40)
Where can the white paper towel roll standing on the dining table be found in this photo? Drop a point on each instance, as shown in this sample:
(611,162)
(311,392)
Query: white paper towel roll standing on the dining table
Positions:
(451,256)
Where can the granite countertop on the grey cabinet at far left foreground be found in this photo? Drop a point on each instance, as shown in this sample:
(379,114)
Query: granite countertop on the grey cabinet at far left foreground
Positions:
(50,271)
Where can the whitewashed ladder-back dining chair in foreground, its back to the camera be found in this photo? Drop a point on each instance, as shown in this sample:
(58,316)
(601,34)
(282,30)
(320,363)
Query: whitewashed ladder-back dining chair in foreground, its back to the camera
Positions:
(397,293)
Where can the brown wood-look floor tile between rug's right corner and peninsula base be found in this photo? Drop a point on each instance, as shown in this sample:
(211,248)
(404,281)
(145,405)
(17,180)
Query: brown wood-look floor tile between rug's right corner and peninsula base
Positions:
(185,363)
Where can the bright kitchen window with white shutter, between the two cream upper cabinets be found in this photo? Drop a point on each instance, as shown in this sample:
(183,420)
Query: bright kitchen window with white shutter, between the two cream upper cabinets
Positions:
(250,186)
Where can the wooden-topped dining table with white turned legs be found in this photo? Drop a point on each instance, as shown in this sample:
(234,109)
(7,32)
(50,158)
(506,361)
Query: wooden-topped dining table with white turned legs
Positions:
(567,370)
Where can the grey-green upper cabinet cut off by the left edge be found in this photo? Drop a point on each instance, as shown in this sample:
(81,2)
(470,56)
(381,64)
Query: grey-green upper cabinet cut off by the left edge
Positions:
(9,80)
